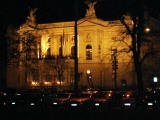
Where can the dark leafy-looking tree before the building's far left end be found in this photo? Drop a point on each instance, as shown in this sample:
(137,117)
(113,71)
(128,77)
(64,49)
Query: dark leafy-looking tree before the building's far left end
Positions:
(22,50)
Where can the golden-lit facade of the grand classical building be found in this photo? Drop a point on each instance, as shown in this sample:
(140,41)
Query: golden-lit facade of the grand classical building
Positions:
(97,42)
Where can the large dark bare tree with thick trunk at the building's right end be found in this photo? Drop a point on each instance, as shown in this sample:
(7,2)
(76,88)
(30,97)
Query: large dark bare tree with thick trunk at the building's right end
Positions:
(138,39)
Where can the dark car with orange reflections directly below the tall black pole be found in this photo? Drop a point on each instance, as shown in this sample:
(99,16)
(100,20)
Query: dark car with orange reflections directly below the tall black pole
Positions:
(80,101)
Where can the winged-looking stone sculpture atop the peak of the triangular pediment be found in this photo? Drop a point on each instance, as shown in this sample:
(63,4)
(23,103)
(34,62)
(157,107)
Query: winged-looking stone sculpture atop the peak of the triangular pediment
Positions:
(90,10)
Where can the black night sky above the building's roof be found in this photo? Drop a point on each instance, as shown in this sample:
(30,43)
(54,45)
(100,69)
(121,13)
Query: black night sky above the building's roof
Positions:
(14,12)
